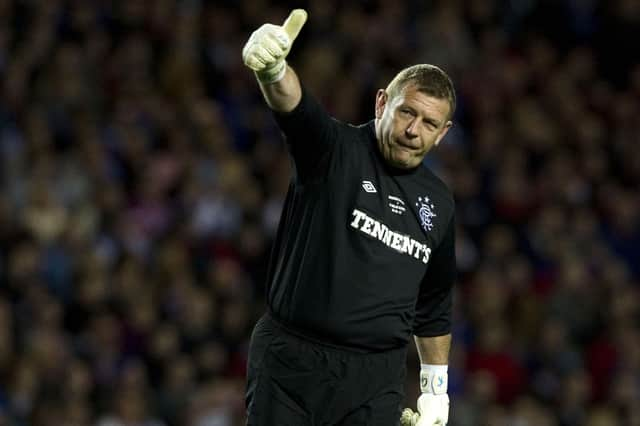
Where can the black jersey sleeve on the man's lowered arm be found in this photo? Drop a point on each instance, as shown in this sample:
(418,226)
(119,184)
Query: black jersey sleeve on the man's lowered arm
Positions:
(433,307)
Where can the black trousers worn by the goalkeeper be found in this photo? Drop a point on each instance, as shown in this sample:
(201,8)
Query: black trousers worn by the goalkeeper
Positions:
(295,381)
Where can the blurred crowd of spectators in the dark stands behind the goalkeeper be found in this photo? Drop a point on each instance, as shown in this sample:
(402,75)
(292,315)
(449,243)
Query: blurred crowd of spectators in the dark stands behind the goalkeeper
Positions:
(142,178)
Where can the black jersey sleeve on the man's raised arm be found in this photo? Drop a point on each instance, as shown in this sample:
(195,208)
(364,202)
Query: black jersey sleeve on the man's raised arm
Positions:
(310,134)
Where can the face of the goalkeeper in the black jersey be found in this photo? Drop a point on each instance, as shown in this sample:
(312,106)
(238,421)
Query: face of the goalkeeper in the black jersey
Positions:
(409,125)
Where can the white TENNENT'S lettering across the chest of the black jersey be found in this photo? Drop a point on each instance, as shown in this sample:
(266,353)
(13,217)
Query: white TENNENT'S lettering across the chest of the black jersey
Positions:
(399,242)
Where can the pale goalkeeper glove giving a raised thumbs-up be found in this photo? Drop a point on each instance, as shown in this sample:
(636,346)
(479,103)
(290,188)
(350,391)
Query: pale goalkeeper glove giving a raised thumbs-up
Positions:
(269,45)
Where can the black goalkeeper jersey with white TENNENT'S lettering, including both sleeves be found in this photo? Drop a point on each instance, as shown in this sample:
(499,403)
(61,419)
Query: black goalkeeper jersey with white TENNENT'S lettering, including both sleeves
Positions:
(364,254)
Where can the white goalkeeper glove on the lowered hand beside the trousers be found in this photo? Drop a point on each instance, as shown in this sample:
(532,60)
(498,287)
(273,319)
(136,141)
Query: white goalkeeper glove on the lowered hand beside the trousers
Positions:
(433,404)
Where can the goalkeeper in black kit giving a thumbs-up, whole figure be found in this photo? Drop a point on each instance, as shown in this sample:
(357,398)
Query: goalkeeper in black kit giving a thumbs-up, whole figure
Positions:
(364,256)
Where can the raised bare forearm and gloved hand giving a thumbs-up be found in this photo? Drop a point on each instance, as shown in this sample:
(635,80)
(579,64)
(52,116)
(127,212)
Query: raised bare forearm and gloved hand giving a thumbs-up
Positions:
(265,54)
